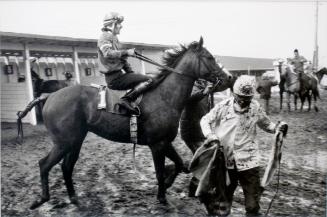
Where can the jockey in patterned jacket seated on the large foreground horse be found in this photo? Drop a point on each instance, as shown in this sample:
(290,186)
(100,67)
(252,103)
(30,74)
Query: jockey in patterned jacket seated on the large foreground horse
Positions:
(113,63)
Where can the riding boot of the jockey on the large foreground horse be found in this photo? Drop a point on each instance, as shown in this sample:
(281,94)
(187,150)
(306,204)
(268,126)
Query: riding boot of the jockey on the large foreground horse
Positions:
(133,94)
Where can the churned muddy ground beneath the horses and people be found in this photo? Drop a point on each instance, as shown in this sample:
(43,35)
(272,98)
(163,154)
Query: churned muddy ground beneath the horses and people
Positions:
(108,186)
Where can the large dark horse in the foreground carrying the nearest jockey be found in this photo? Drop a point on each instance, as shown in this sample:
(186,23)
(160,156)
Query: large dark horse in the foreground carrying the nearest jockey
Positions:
(71,112)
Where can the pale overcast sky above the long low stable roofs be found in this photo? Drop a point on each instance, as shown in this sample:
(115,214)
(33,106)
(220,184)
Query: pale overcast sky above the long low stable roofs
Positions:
(264,29)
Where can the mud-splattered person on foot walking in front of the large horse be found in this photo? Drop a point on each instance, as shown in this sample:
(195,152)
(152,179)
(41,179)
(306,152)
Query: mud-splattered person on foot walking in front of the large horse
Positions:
(233,122)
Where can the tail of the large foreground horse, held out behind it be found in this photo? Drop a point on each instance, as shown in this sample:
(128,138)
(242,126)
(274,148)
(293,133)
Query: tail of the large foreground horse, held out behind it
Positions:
(22,114)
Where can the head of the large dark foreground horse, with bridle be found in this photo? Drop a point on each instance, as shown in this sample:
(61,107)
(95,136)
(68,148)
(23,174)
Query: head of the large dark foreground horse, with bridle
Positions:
(197,62)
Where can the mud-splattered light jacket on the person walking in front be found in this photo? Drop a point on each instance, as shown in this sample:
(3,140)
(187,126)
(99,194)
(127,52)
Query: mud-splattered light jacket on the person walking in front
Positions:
(237,131)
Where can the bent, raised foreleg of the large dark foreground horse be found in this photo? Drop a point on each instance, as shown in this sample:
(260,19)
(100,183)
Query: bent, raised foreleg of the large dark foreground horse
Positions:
(171,174)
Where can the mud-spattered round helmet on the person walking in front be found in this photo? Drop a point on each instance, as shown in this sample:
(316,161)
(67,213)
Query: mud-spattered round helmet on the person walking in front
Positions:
(244,85)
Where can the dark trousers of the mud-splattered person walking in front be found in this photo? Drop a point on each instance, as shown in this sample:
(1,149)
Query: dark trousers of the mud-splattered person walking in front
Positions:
(250,183)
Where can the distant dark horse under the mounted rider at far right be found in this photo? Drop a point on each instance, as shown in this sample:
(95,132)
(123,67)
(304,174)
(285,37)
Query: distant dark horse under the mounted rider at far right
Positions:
(300,85)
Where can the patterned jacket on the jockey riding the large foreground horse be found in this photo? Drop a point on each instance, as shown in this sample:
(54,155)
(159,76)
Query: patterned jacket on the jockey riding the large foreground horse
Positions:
(110,55)
